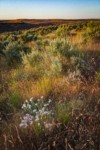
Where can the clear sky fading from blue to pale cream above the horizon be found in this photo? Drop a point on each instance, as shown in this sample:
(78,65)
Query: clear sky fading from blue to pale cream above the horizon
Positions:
(49,9)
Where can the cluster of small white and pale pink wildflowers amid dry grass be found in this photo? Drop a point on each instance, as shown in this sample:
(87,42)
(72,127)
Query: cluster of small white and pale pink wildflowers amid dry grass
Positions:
(35,111)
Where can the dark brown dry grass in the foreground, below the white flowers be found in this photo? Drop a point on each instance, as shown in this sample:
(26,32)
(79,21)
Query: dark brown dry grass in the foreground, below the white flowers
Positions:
(81,132)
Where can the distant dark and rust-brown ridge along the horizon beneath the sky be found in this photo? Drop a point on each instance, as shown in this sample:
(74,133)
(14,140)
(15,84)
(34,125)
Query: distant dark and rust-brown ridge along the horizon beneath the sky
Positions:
(22,24)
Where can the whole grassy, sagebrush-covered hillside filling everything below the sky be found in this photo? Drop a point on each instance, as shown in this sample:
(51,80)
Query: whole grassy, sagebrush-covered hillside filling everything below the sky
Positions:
(50,85)
